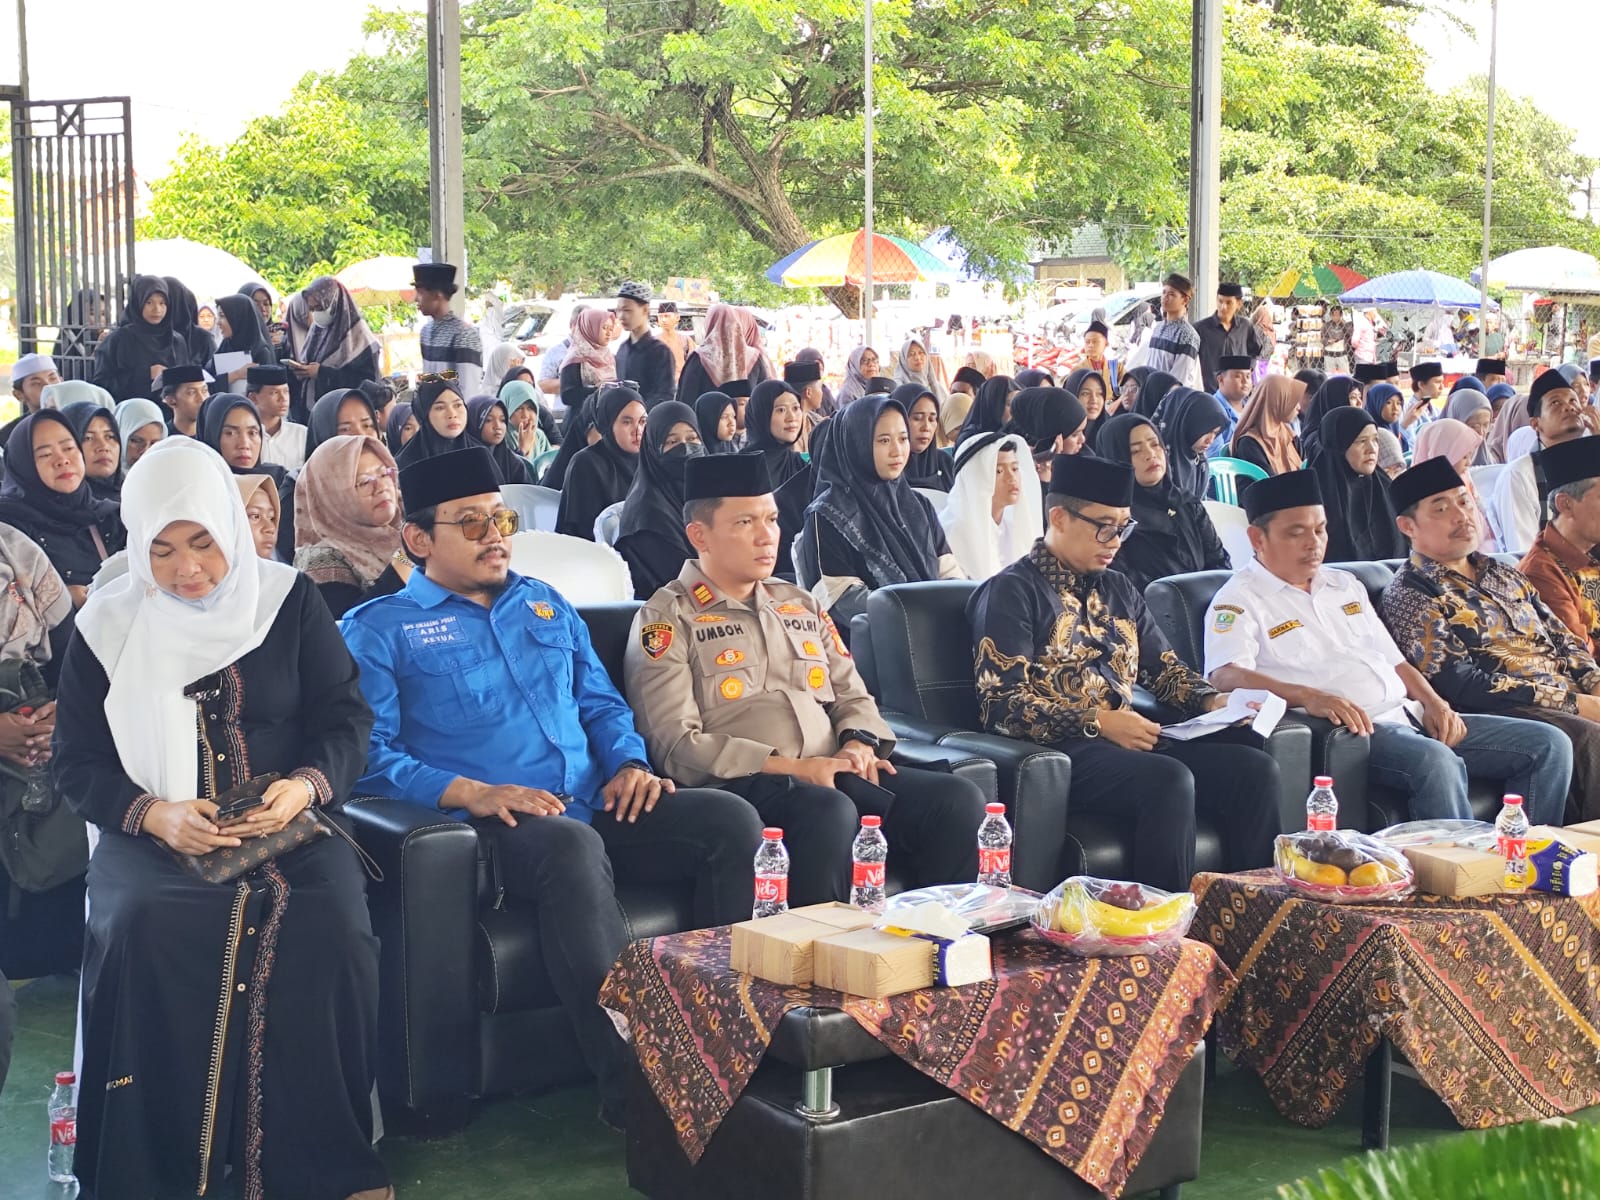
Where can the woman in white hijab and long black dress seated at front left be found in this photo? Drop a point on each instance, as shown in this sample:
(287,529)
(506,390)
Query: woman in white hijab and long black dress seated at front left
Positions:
(225,1025)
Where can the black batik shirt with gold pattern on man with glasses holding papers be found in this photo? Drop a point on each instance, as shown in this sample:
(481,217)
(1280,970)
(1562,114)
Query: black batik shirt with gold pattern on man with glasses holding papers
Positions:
(1054,646)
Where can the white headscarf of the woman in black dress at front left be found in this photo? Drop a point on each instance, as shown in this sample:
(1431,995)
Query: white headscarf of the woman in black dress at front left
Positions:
(153,644)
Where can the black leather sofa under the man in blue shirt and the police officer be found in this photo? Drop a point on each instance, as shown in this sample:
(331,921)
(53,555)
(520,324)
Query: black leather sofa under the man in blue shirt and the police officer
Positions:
(466,1007)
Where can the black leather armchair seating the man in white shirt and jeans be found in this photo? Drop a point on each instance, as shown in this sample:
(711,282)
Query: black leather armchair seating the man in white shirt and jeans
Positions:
(1180,606)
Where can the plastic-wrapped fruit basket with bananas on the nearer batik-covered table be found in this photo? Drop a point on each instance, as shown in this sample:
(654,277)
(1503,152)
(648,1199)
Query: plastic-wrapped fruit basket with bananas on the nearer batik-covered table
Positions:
(1110,918)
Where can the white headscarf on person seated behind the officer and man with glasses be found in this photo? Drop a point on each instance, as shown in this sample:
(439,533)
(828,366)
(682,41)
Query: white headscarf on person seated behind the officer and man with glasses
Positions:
(978,545)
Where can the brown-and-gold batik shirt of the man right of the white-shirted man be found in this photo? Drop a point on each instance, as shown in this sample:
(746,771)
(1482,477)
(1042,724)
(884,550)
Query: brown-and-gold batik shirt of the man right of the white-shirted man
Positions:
(1487,644)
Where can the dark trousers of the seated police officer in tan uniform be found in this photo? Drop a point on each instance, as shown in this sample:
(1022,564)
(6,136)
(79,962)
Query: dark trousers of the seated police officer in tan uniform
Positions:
(930,820)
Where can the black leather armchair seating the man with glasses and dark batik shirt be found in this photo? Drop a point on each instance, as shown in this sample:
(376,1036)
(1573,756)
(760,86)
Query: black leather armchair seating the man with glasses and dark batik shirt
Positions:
(922,663)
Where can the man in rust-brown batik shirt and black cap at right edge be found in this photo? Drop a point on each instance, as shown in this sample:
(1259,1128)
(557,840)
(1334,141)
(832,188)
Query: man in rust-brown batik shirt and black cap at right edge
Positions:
(1562,566)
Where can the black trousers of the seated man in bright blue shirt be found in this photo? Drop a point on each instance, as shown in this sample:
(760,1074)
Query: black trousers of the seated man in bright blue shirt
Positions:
(567,870)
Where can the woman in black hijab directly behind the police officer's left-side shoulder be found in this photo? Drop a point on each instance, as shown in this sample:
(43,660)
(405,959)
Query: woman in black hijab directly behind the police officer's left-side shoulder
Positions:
(652,537)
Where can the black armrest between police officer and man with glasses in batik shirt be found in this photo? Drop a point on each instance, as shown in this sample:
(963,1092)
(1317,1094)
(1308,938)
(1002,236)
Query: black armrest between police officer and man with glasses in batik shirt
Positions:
(1034,783)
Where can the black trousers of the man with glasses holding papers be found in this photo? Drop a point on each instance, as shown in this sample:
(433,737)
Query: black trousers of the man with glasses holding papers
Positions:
(1234,785)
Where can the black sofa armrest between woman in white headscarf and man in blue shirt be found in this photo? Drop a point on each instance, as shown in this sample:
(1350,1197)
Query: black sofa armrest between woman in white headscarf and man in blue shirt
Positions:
(425,914)
